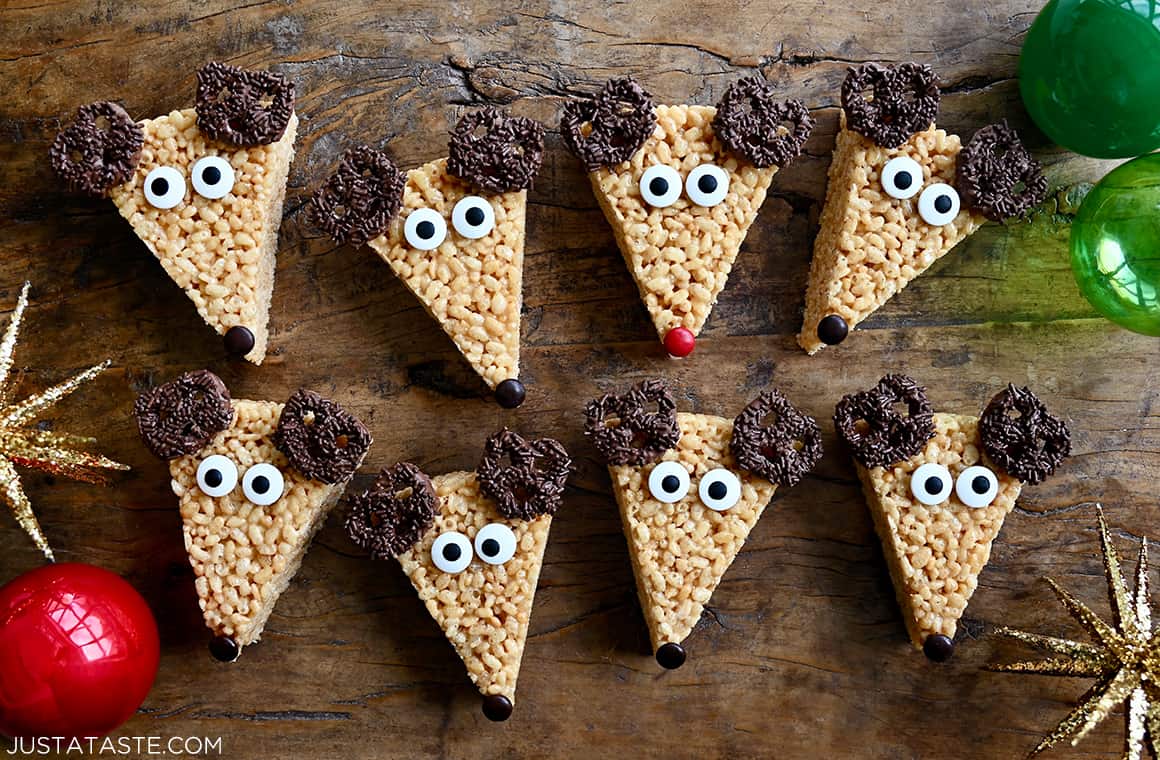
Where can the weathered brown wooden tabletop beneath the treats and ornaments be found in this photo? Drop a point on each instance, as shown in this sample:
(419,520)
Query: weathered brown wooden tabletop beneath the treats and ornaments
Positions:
(804,653)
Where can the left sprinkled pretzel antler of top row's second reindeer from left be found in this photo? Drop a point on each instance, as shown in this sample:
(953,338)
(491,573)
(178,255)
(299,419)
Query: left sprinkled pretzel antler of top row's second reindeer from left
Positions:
(358,204)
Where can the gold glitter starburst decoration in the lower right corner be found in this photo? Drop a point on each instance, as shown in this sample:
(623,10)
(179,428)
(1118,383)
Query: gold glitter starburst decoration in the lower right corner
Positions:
(1125,658)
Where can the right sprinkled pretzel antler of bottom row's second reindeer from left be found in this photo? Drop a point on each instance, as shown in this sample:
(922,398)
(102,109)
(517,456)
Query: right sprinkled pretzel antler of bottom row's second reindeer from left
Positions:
(533,484)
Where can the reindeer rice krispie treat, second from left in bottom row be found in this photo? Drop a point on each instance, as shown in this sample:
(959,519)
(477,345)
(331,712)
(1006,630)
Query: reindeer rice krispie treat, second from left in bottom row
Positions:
(473,545)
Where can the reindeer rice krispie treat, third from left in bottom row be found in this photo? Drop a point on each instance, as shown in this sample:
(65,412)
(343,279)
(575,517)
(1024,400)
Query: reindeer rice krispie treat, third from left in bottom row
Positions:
(691,488)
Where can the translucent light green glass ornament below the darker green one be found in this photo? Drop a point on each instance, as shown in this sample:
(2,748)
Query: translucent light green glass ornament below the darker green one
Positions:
(1116,245)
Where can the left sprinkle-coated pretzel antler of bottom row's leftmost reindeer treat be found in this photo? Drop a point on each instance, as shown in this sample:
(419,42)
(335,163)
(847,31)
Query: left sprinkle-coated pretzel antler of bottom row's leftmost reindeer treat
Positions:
(182,417)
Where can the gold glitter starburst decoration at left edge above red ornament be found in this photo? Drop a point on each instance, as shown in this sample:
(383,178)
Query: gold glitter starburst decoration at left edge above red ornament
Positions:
(26,445)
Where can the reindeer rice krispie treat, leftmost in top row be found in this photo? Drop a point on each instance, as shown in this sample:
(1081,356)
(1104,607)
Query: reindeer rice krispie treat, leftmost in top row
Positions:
(202,189)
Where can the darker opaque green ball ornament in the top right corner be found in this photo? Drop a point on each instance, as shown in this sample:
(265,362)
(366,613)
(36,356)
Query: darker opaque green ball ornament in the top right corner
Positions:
(1090,75)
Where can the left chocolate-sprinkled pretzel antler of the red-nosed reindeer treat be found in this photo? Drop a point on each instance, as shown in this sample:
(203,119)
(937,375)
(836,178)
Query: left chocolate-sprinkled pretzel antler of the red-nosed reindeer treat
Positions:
(620,119)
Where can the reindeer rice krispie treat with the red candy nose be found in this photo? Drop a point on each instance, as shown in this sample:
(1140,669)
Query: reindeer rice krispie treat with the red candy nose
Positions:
(681,185)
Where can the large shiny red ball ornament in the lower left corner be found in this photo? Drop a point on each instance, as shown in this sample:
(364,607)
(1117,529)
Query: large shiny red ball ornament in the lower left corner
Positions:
(78,653)
